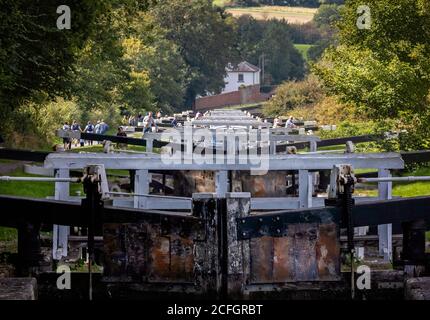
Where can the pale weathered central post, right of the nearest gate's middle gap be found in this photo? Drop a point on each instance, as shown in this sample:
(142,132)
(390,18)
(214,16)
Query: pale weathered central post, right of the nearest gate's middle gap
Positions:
(238,206)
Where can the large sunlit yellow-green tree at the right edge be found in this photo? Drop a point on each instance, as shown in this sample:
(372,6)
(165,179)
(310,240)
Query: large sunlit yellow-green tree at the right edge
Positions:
(385,70)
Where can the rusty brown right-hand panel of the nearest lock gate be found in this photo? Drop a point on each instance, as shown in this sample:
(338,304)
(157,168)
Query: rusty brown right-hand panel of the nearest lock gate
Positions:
(310,252)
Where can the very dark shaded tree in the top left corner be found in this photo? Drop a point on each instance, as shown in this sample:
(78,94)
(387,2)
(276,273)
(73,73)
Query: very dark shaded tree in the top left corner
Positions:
(35,56)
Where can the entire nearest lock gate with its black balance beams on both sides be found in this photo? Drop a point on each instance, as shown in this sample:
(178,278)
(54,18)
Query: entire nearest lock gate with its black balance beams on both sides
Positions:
(222,249)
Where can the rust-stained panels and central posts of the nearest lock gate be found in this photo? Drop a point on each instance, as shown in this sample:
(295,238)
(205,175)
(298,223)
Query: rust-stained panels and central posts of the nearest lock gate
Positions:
(220,252)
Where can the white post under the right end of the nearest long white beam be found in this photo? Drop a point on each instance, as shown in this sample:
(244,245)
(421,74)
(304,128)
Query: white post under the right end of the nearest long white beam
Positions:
(385,231)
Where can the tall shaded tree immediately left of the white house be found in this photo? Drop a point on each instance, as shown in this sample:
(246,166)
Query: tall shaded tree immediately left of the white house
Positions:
(204,36)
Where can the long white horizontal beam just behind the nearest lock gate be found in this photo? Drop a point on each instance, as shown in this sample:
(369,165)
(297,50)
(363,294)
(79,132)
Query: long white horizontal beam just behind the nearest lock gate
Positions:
(151,161)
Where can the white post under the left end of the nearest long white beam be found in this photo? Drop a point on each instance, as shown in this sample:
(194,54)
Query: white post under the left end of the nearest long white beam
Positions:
(61,233)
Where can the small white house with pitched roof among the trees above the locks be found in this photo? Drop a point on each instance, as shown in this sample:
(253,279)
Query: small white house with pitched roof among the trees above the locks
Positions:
(243,74)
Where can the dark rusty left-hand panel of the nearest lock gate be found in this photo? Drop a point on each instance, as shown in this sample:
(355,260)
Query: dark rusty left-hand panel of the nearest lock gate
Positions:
(142,253)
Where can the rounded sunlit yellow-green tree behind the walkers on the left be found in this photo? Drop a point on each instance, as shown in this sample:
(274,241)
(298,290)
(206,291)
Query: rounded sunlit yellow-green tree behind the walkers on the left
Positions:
(131,66)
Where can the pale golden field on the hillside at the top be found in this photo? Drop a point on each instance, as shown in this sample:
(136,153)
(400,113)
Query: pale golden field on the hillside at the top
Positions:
(298,15)
